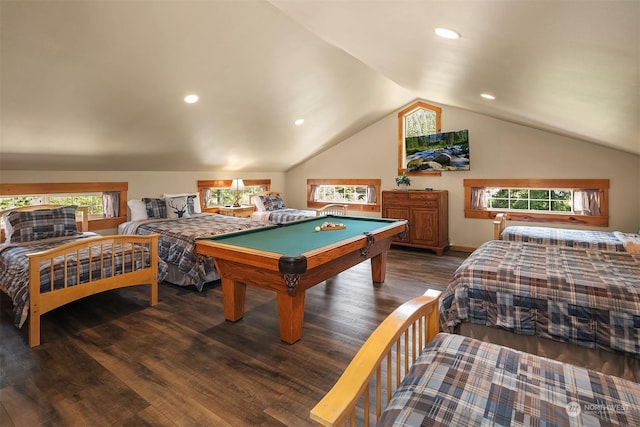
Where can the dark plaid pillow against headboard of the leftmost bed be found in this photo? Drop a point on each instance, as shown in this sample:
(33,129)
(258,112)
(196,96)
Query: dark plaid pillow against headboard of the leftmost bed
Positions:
(28,226)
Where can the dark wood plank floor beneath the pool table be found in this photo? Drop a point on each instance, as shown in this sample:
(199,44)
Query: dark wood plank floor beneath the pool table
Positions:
(111,360)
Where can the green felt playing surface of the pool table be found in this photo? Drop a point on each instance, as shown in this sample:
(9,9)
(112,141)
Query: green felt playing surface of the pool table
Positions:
(298,237)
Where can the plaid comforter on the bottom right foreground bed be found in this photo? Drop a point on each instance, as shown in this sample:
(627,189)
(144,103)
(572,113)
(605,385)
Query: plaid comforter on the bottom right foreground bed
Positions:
(459,381)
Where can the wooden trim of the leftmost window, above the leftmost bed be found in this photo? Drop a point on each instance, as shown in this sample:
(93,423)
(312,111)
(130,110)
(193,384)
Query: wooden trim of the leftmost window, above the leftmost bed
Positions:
(19,189)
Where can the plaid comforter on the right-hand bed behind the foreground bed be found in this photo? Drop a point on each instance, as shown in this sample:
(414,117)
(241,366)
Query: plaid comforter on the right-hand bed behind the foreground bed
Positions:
(582,296)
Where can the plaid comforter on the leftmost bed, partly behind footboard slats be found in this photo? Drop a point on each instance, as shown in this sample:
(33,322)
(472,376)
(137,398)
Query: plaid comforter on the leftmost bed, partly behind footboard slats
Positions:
(14,269)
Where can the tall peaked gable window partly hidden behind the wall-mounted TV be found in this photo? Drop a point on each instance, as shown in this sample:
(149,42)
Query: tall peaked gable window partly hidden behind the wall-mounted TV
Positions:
(414,123)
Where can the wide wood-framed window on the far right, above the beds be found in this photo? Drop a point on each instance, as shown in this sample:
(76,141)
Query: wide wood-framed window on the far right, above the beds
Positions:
(579,201)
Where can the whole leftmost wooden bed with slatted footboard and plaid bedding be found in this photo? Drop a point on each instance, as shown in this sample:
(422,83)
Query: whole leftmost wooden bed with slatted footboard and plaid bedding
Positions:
(46,262)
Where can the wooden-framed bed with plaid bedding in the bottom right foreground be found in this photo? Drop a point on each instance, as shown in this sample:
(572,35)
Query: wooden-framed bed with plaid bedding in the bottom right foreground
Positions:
(408,374)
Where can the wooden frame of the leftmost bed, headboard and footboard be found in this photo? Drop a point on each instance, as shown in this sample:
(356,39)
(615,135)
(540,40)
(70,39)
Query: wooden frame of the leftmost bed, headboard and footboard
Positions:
(41,303)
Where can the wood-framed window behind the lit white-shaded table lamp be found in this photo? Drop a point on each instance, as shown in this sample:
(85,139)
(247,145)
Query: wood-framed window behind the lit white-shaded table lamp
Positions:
(214,193)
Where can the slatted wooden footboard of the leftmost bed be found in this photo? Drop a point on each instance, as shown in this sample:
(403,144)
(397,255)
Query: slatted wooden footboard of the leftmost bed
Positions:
(139,255)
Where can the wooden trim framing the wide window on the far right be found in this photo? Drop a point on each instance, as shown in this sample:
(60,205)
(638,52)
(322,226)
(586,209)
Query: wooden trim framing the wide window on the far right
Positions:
(602,185)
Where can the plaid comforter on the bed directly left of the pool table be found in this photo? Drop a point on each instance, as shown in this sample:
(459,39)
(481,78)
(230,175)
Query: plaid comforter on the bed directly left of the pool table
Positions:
(177,241)
